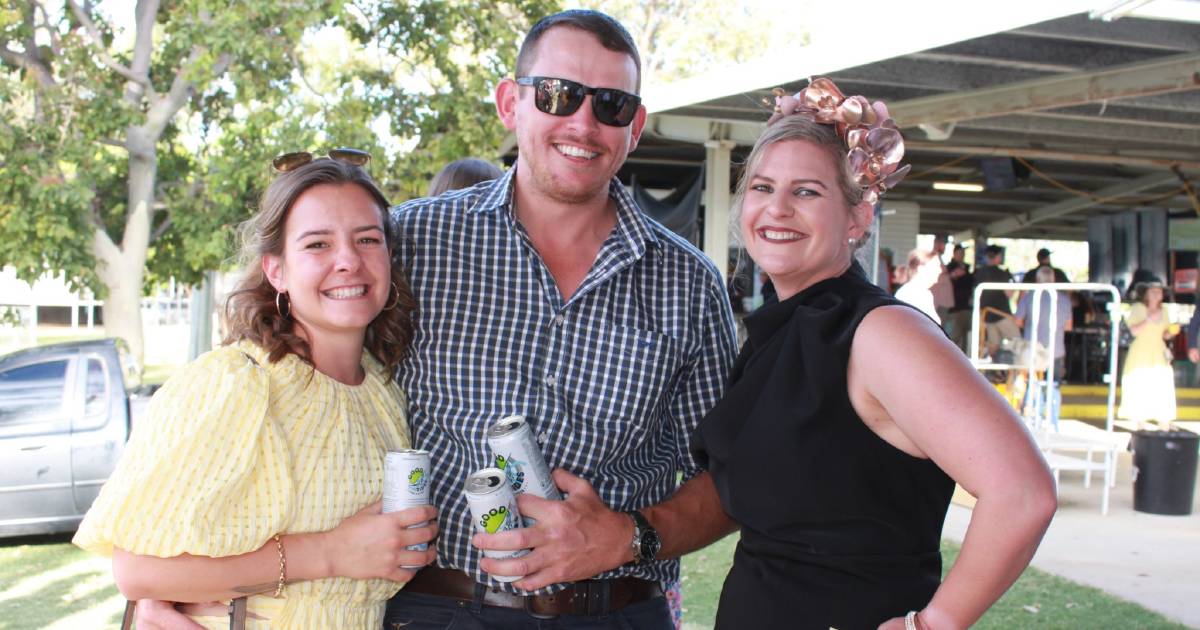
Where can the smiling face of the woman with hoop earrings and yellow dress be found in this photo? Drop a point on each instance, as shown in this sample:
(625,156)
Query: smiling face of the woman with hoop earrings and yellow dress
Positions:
(335,266)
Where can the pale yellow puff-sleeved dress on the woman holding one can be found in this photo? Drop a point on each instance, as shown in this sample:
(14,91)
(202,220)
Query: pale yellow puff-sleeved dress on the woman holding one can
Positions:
(231,453)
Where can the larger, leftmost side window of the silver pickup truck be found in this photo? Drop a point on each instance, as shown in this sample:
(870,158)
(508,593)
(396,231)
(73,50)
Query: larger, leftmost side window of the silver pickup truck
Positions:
(32,399)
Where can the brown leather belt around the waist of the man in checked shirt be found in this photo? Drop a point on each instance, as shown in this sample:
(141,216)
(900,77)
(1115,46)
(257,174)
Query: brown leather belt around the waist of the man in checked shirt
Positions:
(590,598)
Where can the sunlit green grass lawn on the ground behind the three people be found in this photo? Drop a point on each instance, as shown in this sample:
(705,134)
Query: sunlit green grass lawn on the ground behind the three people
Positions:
(47,584)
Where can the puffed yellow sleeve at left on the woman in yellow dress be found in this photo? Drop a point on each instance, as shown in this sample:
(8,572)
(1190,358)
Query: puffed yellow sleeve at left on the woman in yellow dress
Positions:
(206,471)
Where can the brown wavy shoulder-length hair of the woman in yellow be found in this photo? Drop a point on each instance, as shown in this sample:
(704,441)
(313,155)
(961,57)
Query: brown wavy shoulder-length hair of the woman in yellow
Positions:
(251,313)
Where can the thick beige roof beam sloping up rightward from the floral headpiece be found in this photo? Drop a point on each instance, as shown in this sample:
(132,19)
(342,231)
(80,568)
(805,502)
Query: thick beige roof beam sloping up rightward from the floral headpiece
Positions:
(1162,76)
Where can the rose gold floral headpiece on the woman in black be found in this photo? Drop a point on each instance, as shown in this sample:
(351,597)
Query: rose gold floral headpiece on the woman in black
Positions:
(874,142)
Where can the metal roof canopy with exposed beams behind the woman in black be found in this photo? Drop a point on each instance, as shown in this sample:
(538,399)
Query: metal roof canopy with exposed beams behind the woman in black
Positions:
(1109,110)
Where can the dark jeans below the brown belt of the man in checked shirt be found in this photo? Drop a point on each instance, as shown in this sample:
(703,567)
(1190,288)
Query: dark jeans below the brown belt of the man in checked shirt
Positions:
(416,611)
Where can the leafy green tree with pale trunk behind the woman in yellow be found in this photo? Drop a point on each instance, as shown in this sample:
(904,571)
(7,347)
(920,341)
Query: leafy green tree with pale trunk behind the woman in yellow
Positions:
(133,147)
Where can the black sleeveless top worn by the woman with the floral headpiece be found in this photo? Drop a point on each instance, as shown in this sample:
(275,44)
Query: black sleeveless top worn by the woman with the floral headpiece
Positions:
(839,529)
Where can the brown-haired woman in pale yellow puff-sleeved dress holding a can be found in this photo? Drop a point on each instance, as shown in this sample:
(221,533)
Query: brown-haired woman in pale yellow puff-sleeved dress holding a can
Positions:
(259,467)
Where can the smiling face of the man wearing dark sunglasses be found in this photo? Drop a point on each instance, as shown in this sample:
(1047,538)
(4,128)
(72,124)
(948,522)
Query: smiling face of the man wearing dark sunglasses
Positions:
(572,159)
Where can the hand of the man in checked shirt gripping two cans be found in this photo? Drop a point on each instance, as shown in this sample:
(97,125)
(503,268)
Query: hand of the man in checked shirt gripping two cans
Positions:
(574,539)
